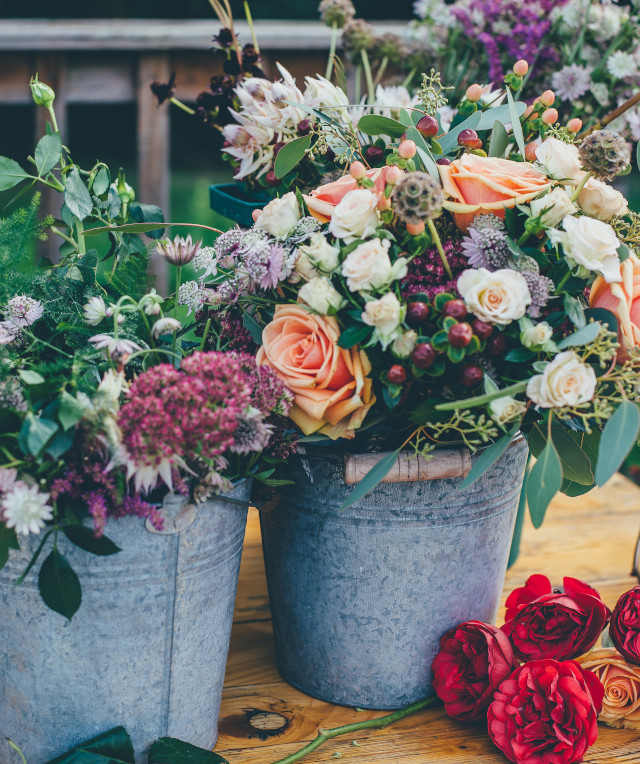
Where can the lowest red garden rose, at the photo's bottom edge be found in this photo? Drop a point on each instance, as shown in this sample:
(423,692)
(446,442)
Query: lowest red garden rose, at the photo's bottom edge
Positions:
(546,712)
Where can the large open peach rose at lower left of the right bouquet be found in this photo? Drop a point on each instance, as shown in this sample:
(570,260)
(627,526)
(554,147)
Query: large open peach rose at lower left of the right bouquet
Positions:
(332,389)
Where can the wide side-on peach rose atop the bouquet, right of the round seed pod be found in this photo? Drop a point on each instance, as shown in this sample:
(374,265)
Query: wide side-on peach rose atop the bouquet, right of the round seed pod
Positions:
(481,185)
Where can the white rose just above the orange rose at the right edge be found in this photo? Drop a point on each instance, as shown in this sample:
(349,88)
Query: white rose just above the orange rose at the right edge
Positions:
(591,244)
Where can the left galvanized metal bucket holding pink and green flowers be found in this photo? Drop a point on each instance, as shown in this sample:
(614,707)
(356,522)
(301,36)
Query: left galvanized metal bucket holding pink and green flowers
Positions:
(147,648)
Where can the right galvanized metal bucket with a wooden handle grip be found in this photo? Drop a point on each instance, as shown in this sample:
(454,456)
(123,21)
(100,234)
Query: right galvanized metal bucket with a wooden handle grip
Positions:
(361,598)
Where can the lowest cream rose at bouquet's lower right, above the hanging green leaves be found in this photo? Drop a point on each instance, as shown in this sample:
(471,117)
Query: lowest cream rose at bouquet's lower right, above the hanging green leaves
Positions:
(566,381)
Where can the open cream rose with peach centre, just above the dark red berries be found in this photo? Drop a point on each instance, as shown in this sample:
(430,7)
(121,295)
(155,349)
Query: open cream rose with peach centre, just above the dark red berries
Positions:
(497,298)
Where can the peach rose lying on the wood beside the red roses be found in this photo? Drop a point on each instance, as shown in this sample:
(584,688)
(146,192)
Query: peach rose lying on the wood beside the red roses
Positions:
(621,682)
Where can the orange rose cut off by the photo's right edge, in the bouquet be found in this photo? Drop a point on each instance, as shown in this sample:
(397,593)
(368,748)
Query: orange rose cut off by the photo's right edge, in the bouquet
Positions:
(623,300)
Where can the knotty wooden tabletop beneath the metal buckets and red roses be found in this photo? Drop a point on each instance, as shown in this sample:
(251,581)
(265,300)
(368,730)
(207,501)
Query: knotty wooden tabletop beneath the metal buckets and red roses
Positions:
(591,537)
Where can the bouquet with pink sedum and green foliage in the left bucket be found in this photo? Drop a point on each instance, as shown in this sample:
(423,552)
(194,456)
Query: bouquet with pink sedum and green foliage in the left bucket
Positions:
(108,399)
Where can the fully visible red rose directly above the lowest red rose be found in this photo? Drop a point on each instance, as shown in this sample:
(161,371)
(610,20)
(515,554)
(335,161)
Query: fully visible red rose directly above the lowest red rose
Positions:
(543,623)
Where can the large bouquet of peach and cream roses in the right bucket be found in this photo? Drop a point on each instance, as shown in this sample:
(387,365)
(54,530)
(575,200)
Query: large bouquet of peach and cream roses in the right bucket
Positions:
(454,295)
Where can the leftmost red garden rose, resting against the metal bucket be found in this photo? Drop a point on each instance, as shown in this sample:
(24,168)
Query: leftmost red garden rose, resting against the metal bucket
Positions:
(473,659)
